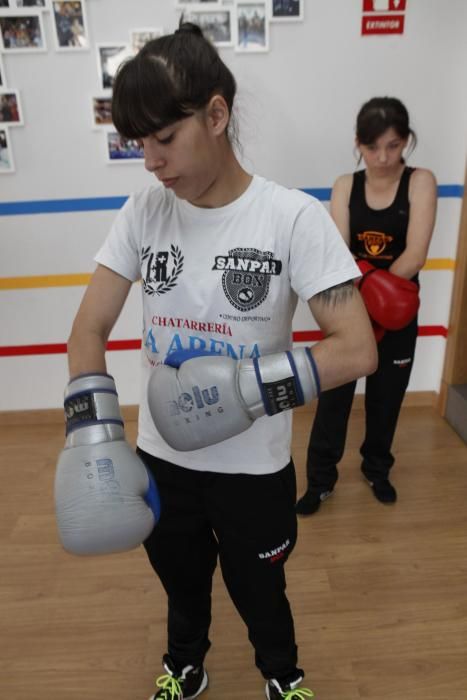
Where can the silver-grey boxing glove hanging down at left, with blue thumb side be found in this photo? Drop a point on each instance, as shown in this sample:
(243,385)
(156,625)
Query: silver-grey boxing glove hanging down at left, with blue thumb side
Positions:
(105,499)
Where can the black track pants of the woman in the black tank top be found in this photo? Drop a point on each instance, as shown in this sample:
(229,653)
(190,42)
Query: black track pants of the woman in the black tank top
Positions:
(384,393)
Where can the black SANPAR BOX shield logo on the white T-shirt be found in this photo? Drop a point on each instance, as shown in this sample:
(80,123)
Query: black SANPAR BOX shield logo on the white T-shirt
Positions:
(246,276)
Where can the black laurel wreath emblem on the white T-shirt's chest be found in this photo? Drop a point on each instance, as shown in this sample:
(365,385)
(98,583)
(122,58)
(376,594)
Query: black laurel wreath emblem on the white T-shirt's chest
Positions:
(160,271)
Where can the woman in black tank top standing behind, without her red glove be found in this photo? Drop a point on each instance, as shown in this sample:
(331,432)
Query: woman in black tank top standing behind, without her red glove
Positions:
(386,214)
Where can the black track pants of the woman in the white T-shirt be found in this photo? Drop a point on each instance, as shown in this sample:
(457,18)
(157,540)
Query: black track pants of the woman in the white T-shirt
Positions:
(249,523)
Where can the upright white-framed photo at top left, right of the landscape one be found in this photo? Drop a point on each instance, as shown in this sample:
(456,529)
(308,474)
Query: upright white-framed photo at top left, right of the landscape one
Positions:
(70,25)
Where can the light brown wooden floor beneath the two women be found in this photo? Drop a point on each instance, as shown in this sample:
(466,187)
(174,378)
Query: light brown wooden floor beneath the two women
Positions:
(379,592)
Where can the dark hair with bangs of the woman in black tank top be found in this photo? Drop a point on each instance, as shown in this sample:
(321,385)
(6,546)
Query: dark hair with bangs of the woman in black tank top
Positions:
(380,114)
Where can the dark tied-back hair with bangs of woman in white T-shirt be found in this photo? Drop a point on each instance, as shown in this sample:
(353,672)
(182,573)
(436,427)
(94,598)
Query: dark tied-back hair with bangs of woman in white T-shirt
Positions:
(169,79)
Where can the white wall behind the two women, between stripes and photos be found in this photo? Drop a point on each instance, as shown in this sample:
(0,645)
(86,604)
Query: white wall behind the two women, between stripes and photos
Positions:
(297,106)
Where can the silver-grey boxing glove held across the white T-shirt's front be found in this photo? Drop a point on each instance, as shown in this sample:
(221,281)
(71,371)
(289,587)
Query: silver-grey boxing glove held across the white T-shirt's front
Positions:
(199,399)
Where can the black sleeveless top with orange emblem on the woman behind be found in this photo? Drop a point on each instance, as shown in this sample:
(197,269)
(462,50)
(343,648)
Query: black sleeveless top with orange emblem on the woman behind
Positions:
(379,235)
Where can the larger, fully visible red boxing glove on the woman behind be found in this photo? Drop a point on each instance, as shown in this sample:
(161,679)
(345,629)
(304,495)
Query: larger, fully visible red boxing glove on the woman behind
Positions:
(391,301)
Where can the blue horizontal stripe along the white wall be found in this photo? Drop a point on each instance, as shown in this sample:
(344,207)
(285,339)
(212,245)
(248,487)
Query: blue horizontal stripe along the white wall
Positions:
(59,206)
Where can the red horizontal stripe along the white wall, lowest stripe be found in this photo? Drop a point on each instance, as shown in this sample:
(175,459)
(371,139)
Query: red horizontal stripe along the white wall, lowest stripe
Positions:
(60,348)
